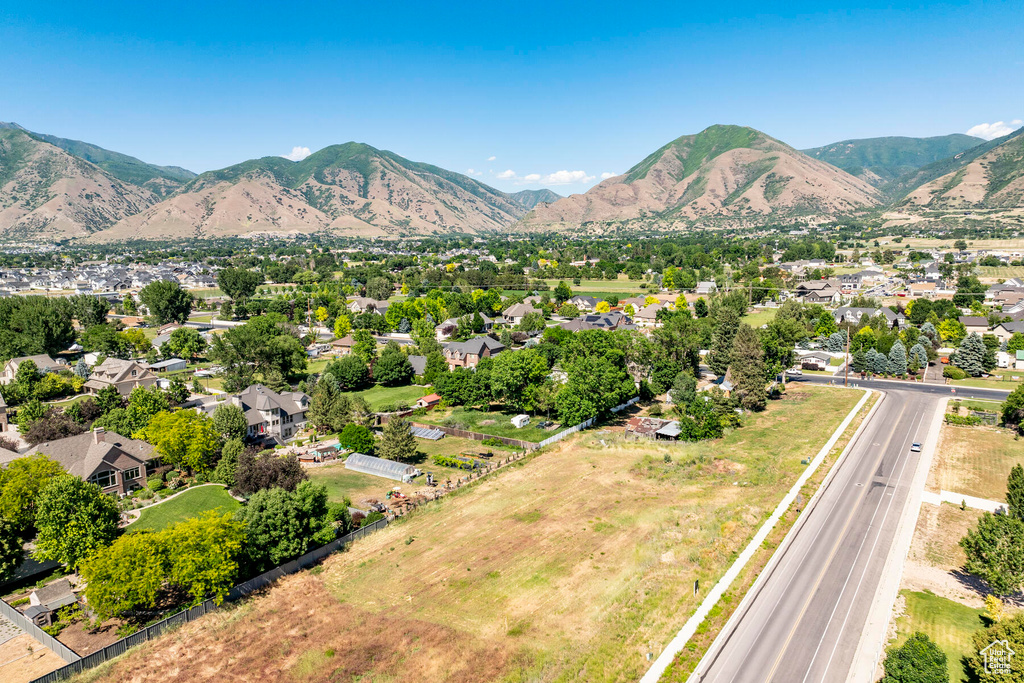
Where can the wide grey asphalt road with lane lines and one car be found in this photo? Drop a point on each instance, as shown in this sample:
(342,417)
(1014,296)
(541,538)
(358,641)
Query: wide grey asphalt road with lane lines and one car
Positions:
(805,620)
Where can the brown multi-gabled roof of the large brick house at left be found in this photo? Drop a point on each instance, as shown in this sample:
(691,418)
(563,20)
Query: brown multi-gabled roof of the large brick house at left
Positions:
(82,455)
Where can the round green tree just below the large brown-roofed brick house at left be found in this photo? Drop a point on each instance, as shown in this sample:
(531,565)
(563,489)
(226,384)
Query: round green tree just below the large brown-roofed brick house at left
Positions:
(74,520)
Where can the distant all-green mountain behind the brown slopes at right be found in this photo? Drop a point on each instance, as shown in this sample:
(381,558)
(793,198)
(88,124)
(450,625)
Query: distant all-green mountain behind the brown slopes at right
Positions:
(883,160)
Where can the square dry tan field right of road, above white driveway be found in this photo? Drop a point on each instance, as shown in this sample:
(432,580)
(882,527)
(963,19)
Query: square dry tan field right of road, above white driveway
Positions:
(975,461)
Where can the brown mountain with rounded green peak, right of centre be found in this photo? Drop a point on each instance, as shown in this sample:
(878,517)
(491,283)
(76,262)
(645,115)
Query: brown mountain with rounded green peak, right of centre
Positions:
(724,172)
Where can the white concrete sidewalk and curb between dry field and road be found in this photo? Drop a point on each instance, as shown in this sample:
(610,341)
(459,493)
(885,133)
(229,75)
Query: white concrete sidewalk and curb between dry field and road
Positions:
(677,645)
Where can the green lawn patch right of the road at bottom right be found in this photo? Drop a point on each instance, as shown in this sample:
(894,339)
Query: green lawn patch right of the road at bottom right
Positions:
(950,624)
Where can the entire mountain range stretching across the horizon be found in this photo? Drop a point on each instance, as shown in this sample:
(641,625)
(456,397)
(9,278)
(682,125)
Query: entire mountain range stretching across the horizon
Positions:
(54,189)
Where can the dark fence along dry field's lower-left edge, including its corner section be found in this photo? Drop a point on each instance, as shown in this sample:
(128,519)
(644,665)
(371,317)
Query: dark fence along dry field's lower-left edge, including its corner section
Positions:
(77,665)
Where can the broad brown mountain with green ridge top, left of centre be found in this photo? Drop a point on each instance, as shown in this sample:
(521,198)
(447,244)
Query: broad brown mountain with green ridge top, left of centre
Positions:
(352,189)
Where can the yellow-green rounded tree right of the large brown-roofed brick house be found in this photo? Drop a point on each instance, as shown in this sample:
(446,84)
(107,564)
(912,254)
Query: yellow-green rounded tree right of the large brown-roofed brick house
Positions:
(185,438)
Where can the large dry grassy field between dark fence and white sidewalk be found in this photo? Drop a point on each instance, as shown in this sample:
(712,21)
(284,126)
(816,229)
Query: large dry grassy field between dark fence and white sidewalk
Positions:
(574,565)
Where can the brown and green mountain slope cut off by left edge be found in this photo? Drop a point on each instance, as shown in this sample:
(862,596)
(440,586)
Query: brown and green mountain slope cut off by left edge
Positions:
(48,194)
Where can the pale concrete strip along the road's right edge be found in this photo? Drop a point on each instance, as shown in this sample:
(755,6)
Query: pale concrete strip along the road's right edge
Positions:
(873,638)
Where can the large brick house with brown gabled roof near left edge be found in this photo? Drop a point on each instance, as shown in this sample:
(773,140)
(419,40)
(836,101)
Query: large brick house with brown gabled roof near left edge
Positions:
(115,463)
